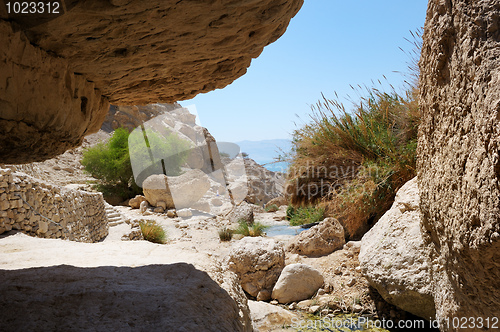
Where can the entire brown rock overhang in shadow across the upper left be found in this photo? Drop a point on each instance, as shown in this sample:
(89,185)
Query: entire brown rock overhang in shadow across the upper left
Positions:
(57,76)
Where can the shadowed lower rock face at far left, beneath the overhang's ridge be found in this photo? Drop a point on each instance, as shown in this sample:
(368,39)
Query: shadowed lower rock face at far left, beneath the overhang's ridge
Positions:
(45,108)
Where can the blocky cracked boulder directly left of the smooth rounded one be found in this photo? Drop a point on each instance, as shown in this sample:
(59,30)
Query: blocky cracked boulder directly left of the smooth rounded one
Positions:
(258,263)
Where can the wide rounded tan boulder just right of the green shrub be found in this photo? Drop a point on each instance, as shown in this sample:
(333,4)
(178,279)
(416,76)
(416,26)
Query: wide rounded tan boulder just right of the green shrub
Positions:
(176,191)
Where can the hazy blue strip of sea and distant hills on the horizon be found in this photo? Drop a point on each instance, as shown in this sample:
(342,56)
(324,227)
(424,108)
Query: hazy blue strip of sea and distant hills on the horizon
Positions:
(265,151)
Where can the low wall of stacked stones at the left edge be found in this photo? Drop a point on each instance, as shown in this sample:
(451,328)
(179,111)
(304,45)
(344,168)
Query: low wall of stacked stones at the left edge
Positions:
(40,209)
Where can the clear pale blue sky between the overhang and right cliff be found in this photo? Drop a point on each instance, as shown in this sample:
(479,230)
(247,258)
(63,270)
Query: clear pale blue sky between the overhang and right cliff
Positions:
(328,46)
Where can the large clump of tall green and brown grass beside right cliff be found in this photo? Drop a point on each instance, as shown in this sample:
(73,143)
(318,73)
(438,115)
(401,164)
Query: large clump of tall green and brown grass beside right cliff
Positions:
(352,163)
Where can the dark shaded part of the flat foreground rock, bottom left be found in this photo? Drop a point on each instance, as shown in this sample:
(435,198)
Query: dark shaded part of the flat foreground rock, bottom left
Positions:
(175,297)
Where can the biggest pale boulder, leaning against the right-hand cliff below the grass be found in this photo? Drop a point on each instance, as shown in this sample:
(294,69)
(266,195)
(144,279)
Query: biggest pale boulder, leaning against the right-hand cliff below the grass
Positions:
(395,259)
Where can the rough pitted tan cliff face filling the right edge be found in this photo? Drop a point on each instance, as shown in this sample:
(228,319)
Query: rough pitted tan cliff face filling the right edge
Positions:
(458,154)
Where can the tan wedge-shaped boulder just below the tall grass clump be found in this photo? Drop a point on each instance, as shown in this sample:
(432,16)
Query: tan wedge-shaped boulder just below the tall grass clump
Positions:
(319,240)
